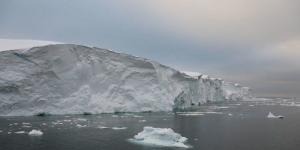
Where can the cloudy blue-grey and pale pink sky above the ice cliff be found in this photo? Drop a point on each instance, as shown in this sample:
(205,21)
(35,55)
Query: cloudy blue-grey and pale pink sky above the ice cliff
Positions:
(252,42)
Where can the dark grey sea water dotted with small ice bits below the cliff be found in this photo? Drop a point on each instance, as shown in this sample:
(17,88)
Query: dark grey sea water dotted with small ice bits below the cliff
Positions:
(247,128)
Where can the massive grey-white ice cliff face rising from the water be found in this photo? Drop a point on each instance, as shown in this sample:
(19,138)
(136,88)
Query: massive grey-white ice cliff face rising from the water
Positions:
(68,79)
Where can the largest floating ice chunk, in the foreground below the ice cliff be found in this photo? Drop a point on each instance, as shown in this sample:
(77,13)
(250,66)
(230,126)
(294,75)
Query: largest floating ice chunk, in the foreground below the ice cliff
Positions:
(165,137)
